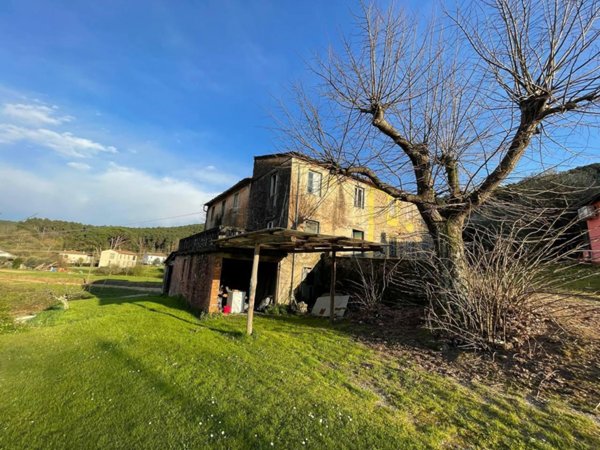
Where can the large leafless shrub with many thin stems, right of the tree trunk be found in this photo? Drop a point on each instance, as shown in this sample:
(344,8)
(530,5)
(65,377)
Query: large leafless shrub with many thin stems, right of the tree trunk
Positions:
(514,270)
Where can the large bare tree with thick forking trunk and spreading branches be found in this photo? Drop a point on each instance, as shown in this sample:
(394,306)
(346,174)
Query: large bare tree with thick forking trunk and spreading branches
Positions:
(441,115)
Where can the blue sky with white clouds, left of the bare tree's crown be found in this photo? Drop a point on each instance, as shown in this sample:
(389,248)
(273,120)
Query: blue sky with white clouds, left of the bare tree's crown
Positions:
(122,112)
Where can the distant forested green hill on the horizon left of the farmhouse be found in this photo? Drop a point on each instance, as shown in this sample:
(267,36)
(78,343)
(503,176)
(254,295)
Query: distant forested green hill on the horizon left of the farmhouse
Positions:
(35,235)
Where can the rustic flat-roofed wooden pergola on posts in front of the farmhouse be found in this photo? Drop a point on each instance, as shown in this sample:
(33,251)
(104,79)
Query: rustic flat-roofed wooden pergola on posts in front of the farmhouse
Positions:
(292,241)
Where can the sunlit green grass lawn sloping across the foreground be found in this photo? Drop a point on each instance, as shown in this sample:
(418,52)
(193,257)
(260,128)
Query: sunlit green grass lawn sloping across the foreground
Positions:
(113,372)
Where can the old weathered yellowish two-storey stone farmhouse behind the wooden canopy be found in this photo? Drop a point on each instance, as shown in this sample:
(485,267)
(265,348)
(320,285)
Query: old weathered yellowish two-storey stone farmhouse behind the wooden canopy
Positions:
(287,191)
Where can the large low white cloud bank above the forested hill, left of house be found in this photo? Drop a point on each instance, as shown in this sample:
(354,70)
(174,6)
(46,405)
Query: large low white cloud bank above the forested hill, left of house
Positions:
(118,195)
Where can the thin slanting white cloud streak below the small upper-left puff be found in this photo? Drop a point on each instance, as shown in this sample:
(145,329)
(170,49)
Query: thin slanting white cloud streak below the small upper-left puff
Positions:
(64,143)
